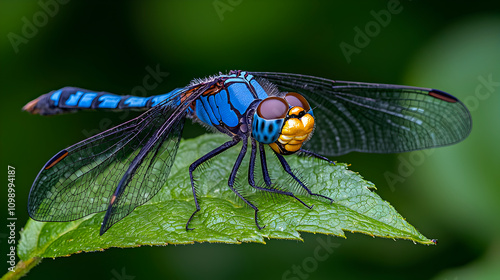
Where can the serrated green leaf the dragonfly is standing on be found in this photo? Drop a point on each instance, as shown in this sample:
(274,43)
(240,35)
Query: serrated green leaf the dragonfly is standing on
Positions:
(224,217)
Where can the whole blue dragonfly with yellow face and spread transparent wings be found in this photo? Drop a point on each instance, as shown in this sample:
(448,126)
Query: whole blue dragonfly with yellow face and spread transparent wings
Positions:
(278,110)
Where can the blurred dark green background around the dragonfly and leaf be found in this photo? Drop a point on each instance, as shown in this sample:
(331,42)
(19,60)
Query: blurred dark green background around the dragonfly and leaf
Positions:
(449,193)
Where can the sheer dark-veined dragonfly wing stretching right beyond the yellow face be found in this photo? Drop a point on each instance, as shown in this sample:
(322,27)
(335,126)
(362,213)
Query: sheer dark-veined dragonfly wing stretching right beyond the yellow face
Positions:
(376,118)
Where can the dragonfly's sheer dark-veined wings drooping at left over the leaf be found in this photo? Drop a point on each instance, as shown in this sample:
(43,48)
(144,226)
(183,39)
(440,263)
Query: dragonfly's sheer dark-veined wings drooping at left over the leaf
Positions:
(118,169)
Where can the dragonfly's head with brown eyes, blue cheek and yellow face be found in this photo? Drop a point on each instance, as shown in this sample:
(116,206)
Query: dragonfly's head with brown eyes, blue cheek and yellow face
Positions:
(285,123)
